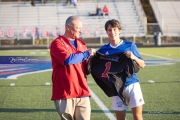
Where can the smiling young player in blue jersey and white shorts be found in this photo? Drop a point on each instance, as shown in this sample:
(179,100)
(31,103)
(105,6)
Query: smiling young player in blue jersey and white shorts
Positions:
(132,86)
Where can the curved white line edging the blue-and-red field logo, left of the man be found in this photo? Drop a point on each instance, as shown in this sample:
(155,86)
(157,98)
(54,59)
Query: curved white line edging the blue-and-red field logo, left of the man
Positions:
(17,75)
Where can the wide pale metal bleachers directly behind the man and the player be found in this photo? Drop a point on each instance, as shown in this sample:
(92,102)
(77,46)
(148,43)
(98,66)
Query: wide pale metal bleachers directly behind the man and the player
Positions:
(19,15)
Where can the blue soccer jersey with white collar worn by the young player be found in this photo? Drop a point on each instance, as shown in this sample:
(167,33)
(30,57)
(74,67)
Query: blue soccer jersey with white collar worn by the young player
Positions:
(123,46)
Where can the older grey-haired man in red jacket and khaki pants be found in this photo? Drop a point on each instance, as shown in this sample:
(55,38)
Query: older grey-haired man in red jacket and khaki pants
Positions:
(69,57)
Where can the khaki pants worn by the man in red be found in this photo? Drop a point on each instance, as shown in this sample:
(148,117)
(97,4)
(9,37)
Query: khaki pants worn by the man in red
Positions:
(74,109)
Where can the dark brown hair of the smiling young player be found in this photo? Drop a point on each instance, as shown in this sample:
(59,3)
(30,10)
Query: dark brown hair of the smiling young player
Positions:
(113,23)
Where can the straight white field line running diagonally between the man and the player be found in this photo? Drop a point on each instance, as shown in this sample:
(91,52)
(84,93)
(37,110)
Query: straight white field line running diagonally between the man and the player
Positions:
(102,106)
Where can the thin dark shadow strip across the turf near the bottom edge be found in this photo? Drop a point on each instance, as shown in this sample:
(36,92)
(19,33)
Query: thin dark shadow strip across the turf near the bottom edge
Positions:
(27,110)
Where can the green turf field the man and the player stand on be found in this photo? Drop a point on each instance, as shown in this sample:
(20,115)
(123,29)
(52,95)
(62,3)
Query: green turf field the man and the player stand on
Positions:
(29,99)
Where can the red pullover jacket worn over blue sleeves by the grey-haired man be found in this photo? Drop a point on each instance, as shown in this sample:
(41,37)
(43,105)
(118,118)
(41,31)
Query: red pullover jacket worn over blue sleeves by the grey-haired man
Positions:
(69,81)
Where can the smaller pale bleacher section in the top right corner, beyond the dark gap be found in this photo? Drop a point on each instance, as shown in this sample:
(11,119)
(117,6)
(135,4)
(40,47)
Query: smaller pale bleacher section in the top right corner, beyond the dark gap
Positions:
(168,16)
